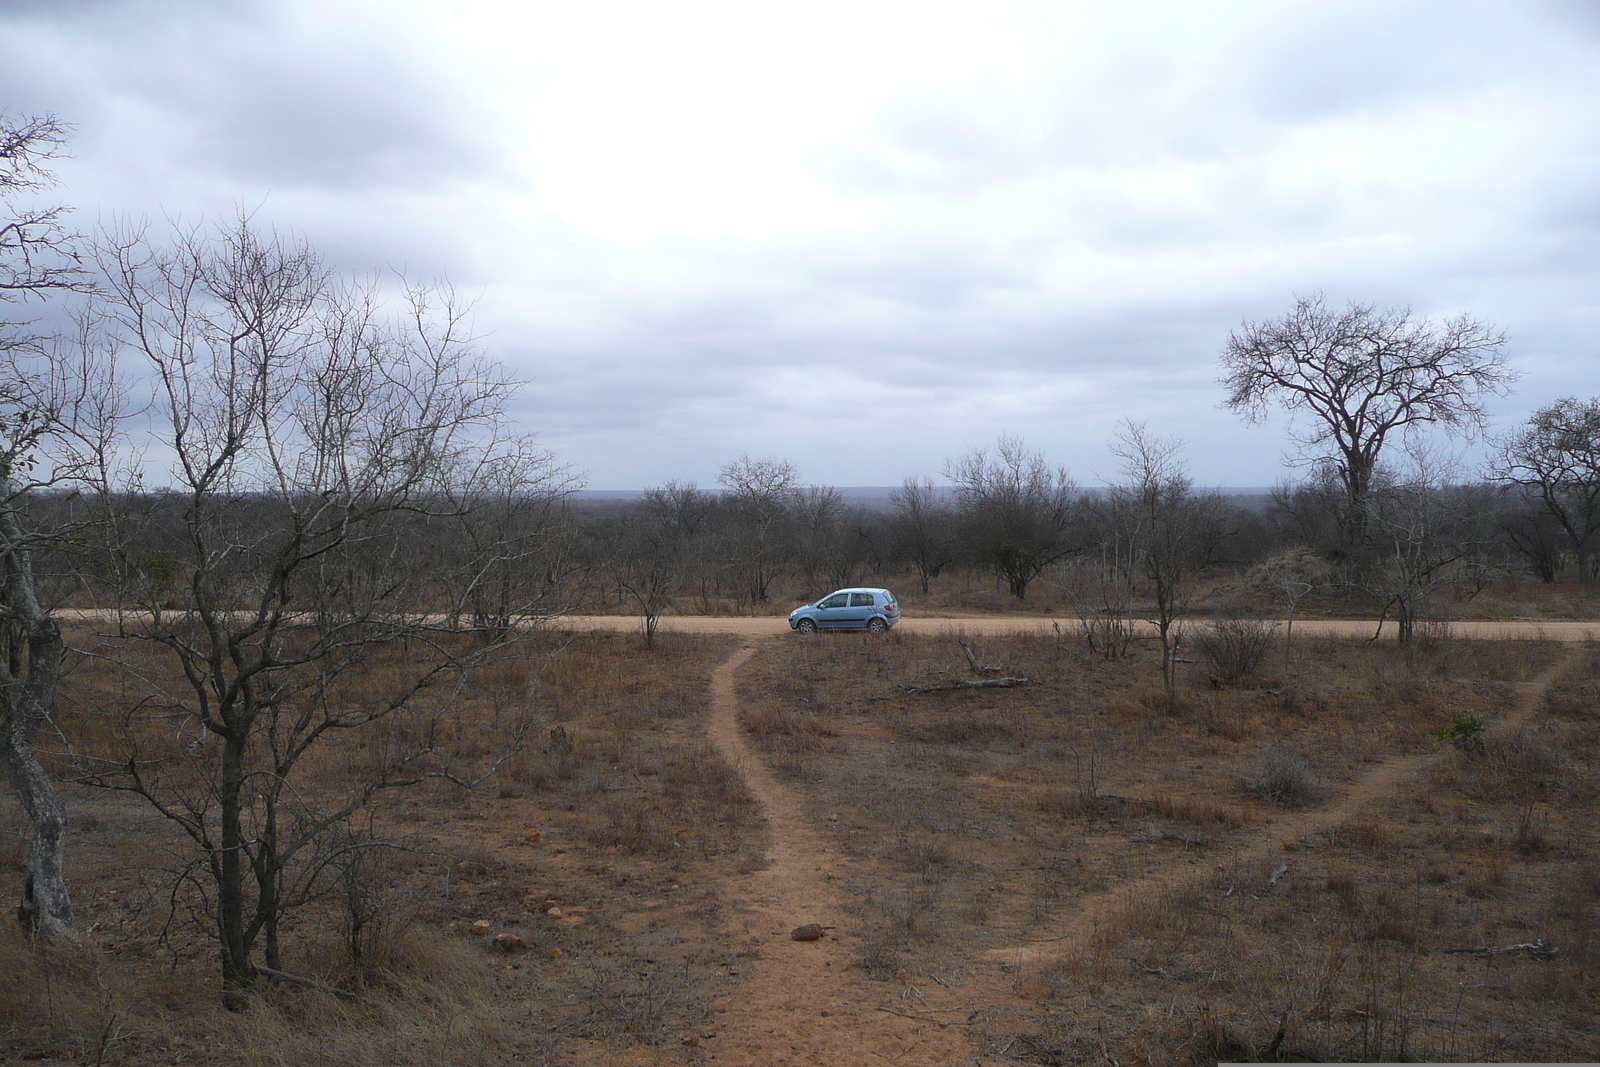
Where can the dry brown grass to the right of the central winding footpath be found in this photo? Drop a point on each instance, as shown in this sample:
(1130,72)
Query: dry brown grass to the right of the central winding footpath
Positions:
(978,825)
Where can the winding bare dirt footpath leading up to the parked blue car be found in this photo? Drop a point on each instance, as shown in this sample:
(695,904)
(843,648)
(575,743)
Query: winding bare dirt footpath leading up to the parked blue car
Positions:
(801,1004)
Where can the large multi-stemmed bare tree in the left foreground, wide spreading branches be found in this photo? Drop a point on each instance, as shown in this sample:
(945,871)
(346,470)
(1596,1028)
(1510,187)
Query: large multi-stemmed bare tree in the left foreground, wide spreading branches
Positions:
(318,447)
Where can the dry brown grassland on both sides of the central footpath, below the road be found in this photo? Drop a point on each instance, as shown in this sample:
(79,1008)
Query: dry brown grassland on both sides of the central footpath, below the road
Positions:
(1366,853)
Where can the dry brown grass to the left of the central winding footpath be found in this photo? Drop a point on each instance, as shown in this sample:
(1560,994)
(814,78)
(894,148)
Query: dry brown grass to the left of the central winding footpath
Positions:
(639,826)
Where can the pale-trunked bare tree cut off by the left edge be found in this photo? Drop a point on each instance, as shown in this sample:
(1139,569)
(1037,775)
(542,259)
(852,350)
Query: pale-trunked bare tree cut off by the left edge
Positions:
(41,422)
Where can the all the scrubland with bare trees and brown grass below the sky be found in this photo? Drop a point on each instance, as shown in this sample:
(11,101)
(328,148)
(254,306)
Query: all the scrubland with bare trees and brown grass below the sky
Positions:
(302,773)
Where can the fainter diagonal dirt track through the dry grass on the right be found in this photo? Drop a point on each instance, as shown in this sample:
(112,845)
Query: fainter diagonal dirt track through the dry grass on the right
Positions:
(1377,786)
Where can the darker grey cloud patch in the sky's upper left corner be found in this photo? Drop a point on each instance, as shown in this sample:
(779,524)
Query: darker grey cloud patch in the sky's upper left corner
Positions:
(246,95)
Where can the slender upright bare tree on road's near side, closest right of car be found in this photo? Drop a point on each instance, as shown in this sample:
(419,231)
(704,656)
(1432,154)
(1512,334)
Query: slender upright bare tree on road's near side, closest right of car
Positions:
(1170,533)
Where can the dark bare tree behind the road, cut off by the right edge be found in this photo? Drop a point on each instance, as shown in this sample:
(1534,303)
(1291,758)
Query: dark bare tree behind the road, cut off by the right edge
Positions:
(1556,457)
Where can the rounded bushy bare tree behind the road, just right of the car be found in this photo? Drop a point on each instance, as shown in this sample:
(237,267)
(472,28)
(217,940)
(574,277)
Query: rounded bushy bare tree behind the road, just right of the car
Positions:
(1017,510)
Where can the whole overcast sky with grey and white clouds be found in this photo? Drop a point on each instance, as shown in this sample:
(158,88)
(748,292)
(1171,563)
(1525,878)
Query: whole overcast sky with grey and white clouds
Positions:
(871,236)
